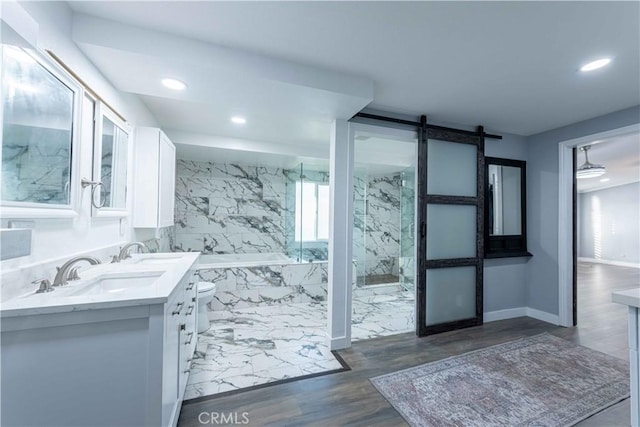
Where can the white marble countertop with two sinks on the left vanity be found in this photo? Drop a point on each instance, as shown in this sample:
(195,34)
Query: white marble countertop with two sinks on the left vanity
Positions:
(62,299)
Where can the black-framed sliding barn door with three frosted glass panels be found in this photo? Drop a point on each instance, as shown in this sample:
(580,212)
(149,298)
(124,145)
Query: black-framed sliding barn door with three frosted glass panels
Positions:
(451,241)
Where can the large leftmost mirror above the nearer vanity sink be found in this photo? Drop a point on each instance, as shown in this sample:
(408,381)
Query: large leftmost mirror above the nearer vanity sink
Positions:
(38,131)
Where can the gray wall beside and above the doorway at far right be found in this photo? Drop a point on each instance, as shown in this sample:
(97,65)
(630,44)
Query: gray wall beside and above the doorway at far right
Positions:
(542,202)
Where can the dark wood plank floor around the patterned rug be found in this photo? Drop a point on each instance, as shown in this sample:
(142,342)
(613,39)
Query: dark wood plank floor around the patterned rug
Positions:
(348,398)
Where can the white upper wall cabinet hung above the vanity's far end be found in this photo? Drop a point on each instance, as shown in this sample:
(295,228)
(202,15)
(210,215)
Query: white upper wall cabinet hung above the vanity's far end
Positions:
(154,179)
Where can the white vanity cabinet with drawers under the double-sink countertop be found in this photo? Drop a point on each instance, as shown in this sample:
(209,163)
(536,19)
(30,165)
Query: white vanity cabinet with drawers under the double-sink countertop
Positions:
(121,363)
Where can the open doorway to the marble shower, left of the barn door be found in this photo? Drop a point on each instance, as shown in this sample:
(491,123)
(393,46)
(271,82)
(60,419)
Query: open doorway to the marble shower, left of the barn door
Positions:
(383,291)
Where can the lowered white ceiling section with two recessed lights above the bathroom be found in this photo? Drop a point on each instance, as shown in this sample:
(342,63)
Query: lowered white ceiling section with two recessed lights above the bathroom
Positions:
(283,101)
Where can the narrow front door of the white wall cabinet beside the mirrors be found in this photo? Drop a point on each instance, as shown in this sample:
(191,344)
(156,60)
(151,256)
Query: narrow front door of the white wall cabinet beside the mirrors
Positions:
(167,182)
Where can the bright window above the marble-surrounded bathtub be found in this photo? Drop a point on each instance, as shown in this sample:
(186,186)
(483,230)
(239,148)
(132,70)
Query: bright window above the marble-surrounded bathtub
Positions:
(312,211)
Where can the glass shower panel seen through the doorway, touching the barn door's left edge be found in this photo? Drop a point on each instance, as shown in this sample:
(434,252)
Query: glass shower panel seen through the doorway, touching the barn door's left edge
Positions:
(407,229)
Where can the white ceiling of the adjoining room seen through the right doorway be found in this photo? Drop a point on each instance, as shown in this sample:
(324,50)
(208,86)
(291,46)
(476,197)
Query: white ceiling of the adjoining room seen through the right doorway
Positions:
(621,158)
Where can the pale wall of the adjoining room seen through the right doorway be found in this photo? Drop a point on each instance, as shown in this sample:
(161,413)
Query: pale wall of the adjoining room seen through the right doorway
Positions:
(609,223)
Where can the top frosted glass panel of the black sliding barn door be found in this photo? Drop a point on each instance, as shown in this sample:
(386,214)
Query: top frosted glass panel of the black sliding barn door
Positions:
(452,168)
